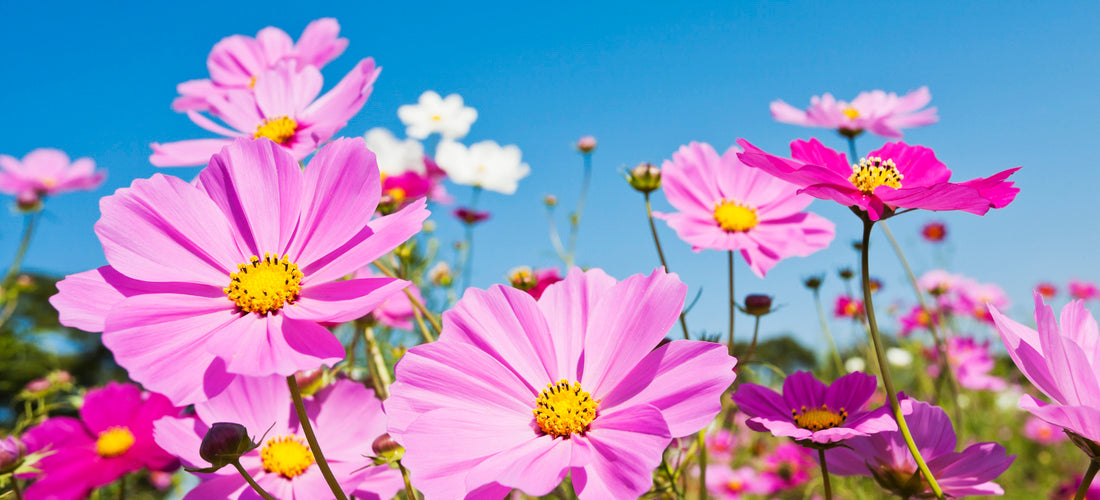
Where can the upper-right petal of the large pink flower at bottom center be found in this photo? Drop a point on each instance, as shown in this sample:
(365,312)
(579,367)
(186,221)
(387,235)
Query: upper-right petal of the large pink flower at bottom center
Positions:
(631,319)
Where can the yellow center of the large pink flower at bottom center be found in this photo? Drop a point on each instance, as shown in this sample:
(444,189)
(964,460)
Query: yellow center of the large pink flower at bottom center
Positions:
(564,409)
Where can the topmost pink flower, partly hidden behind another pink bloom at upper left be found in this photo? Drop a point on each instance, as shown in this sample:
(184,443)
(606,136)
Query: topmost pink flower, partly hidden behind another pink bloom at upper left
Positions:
(238,61)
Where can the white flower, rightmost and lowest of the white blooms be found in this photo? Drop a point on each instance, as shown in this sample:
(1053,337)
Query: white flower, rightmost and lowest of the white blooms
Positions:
(486,164)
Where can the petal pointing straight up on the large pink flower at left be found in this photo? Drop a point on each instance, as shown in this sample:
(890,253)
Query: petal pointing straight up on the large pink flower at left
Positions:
(258,186)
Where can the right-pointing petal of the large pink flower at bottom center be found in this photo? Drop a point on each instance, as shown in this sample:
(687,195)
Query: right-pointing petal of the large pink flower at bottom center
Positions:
(684,380)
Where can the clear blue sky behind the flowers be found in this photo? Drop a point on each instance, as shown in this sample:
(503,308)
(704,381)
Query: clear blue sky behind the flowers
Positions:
(1016,84)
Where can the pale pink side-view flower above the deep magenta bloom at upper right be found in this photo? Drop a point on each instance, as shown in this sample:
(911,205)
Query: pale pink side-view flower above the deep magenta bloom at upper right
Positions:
(877,112)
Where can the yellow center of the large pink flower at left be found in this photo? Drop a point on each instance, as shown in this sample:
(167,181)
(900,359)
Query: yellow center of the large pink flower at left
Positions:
(265,285)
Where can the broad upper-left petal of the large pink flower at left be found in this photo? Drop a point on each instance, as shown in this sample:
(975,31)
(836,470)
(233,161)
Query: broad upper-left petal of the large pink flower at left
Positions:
(163,229)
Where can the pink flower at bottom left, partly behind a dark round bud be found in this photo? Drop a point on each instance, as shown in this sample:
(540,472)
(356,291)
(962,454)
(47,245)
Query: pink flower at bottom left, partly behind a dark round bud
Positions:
(346,416)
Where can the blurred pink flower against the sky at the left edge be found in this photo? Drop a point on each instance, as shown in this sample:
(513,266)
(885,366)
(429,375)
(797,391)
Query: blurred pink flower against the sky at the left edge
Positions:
(47,172)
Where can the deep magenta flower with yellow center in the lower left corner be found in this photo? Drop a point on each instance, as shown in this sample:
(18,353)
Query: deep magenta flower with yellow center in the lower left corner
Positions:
(113,438)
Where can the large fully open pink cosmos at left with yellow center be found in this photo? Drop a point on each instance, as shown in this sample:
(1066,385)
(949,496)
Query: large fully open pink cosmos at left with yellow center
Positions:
(233,275)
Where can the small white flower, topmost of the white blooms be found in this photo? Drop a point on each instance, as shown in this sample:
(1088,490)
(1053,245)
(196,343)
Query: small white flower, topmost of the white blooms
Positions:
(433,114)
